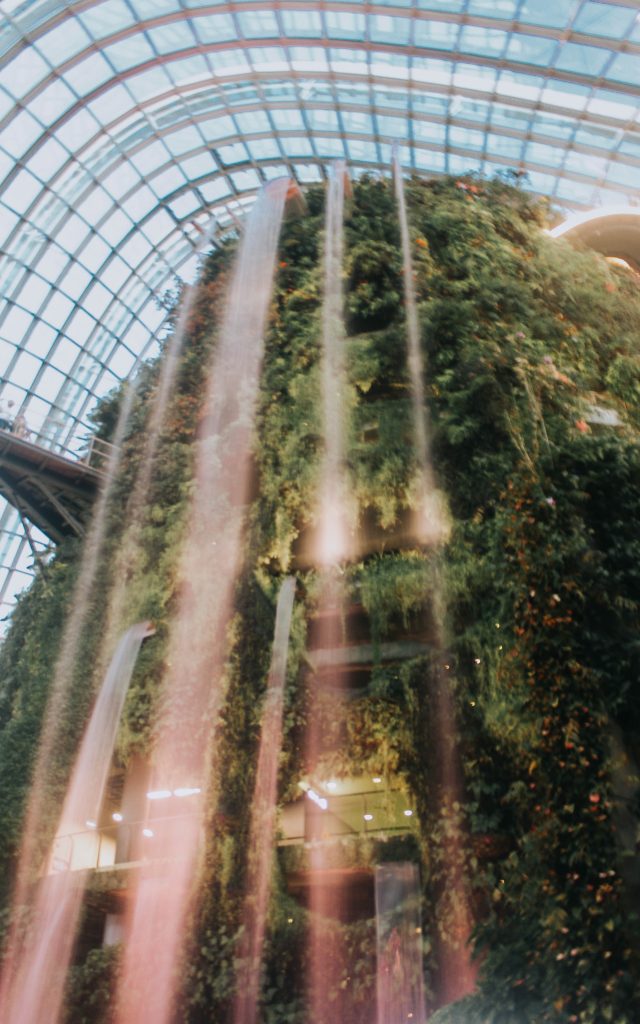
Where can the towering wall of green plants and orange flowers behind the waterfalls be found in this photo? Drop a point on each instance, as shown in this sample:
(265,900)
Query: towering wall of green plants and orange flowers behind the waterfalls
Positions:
(540,593)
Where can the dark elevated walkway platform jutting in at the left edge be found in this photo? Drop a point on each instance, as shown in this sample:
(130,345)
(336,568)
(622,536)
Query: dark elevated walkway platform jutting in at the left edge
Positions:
(54,492)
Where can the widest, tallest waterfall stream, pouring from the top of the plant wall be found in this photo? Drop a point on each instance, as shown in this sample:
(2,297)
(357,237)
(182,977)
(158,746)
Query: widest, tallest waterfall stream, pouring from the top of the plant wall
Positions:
(193,689)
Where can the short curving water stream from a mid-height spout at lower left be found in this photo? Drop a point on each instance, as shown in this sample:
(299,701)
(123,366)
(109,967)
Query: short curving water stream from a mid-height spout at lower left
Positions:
(38,987)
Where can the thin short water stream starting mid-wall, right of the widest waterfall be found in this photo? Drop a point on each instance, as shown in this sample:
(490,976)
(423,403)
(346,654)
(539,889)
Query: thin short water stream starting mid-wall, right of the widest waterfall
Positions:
(263,832)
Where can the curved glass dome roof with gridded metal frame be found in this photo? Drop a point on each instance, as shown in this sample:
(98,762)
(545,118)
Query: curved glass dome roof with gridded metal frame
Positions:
(134,132)
